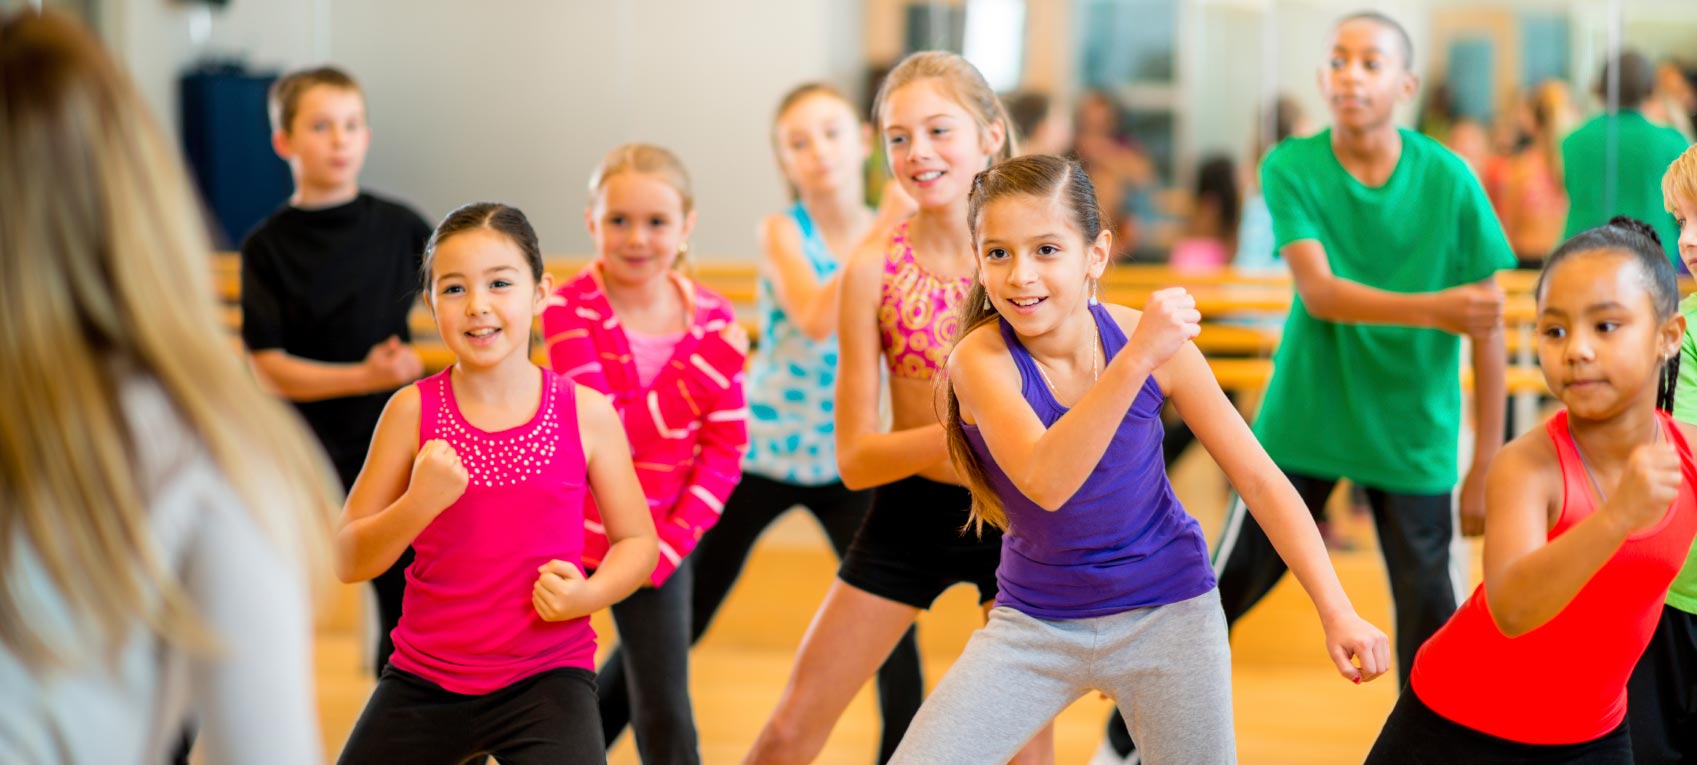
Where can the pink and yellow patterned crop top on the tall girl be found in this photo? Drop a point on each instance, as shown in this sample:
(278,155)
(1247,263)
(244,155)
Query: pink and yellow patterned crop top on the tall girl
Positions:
(917,313)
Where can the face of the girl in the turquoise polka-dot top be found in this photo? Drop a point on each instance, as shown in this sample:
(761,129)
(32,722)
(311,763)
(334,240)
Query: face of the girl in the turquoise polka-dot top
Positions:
(822,145)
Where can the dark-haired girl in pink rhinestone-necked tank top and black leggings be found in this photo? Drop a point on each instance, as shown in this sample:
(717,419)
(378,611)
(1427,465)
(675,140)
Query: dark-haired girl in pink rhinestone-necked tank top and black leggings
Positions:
(484,471)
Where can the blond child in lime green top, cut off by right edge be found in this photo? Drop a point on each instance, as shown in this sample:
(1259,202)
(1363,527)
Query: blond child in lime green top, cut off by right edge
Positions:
(1662,695)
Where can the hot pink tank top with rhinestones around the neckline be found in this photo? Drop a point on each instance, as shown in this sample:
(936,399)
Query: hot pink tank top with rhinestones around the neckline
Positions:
(468,620)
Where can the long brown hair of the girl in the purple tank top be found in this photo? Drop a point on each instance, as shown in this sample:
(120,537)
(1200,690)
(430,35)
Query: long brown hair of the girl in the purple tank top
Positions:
(1033,176)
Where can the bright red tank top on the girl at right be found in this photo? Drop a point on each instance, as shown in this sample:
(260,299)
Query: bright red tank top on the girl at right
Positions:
(1564,683)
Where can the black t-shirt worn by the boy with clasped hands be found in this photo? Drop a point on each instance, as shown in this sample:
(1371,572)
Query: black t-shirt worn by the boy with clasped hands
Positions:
(328,286)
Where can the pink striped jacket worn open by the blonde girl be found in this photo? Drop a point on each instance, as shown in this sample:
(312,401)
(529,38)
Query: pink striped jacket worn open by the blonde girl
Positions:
(688,428)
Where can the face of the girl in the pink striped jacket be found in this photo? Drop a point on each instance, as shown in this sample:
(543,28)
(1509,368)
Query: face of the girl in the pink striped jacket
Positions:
(639,226)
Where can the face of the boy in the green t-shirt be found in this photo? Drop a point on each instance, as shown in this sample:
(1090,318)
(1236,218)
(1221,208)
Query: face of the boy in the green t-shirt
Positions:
(1365,75)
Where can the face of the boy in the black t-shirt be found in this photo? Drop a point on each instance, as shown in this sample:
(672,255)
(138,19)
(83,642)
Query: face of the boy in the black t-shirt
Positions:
(325,147)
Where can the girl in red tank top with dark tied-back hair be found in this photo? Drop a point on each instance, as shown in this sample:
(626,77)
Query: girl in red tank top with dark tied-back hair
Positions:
(1588,523)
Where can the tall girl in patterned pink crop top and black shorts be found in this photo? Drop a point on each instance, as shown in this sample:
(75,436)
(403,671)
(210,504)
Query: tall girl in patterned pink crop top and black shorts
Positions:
(900,299)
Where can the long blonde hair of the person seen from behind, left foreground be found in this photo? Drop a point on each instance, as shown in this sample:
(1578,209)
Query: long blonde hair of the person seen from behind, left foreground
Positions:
(108,265)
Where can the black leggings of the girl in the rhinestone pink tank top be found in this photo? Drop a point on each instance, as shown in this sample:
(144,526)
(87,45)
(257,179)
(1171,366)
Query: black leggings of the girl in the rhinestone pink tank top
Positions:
(547,718)
